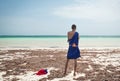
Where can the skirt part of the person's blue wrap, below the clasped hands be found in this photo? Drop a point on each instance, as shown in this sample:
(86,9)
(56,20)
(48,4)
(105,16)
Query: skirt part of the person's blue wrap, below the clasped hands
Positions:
(73,53)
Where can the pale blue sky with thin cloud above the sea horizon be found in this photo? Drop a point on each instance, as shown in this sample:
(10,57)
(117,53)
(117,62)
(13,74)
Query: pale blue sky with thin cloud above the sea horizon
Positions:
(55,17)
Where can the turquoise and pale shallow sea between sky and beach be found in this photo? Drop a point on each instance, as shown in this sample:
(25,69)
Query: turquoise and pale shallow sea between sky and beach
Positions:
(57,41)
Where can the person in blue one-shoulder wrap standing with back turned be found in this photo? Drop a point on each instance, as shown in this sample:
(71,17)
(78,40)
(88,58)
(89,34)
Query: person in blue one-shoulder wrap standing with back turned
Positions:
(73,51)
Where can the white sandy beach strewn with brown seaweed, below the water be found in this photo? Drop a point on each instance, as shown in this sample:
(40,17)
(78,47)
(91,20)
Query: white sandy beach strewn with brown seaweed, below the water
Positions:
(94,65)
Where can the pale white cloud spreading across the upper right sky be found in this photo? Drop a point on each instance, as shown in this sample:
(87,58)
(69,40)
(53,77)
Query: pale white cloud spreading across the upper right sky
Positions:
(96,10)
